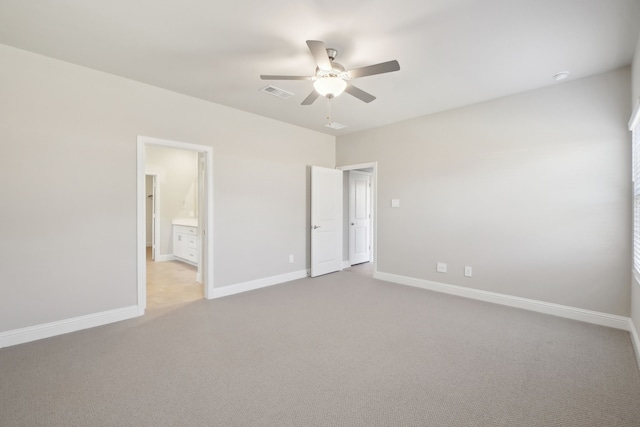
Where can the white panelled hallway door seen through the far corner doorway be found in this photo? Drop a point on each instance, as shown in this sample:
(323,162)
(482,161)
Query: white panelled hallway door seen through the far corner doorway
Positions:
(359,217)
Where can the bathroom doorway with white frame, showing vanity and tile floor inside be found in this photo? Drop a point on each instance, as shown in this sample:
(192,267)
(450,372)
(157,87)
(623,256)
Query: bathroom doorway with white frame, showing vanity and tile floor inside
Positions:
(177,263)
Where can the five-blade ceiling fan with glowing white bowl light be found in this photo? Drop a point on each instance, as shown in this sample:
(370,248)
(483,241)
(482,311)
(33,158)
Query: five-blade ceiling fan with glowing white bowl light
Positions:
(331,79)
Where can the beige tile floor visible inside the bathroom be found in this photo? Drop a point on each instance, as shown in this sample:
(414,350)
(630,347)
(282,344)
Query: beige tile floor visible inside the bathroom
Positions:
(171,283)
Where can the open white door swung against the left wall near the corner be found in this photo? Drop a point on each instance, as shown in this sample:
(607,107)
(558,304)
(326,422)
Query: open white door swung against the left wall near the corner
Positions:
(326,220)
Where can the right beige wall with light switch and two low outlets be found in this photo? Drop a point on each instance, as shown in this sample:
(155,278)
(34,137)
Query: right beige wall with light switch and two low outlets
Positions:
(531,190)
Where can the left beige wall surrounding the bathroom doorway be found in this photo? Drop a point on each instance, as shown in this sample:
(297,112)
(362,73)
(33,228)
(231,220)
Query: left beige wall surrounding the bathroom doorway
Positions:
(68,140)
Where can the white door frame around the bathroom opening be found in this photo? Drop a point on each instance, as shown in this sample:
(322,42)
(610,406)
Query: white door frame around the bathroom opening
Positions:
(207,222)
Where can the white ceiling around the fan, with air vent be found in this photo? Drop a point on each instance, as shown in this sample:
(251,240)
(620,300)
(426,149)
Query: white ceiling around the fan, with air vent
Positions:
(451,52)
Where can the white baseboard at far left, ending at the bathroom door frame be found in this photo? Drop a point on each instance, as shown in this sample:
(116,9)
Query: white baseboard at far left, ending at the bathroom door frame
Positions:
(46,330)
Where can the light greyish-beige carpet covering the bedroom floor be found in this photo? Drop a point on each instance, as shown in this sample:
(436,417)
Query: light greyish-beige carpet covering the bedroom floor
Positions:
(338,350)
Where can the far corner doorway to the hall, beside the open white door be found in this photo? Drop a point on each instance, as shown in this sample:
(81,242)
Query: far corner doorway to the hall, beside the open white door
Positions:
(359,213)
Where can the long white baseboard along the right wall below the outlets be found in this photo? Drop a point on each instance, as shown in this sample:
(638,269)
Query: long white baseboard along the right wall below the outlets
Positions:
(595,317)
